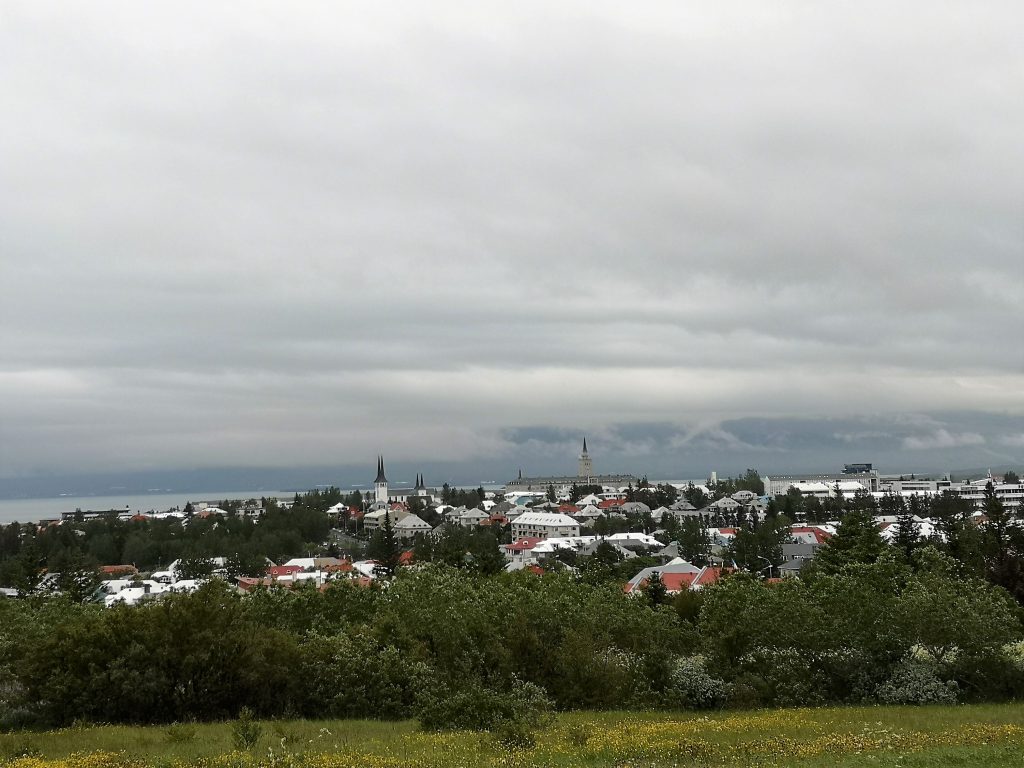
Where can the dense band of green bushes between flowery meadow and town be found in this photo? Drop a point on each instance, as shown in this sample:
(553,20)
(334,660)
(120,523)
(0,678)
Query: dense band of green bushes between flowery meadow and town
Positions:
(458,651)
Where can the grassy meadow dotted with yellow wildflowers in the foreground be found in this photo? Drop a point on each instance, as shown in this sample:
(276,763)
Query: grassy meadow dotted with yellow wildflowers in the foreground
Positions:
(979,736)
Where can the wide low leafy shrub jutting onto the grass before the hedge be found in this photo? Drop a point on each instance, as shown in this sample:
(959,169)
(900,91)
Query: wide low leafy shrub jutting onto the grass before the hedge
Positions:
(477,707)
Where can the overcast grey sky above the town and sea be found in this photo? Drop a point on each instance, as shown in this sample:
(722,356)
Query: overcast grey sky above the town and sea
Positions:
(290,235)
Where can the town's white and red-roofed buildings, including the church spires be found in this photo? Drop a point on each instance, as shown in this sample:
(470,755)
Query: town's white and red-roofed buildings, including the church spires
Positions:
(543,531)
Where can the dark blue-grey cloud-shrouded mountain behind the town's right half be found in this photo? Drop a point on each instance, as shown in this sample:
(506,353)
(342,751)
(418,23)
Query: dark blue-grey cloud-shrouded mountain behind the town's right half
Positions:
(909,443)
